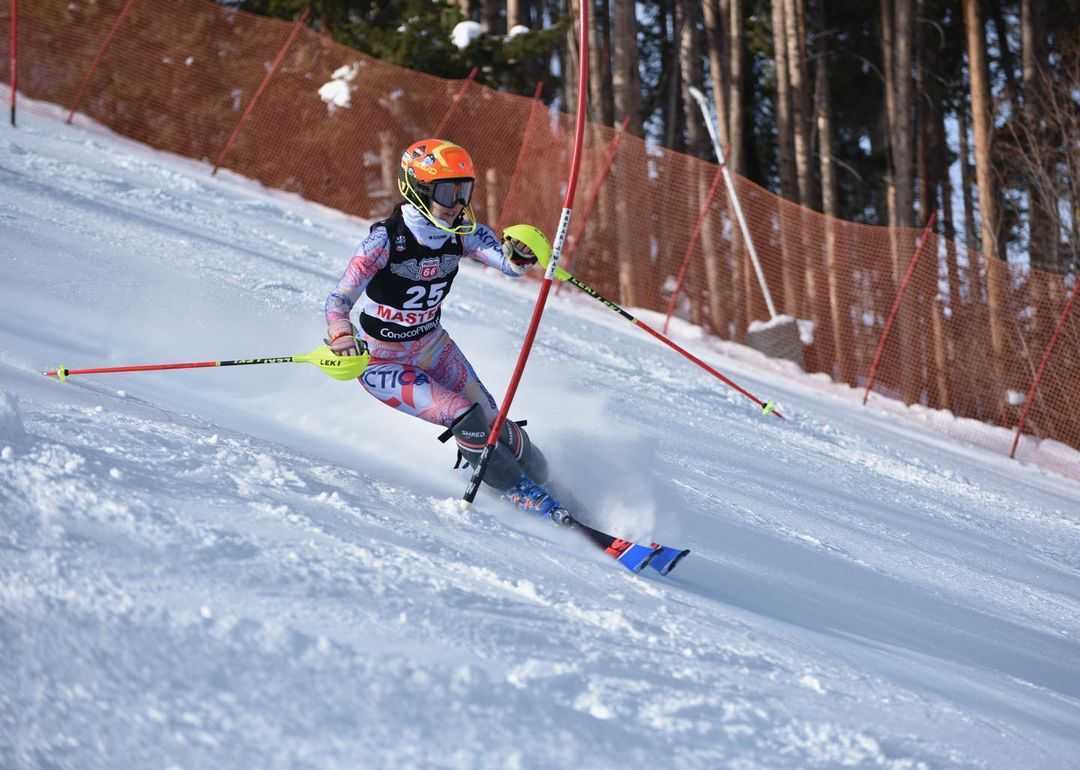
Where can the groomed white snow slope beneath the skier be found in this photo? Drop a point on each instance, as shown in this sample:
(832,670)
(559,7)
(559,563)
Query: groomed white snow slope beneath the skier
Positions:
(261,568)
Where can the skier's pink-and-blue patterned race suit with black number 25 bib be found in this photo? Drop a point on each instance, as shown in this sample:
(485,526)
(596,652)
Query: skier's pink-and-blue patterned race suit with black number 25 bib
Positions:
(407,268)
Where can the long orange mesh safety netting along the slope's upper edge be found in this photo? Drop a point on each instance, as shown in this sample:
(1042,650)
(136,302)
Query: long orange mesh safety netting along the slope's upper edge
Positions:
(179,75)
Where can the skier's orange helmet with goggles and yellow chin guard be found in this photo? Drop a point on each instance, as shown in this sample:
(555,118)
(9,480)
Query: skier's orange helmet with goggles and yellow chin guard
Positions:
(441,172)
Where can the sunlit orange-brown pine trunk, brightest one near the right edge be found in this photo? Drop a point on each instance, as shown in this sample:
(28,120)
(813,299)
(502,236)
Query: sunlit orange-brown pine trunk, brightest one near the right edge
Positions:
(996,271)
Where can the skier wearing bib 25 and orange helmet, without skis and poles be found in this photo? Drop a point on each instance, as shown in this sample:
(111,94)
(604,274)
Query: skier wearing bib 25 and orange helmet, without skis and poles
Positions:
(407,267)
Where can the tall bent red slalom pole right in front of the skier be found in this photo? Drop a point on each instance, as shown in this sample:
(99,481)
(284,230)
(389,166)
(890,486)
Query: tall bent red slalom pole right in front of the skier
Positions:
(557,252)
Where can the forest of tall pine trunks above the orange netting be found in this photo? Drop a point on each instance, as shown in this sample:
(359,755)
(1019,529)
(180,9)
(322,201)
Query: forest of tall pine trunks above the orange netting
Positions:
(876,112)
